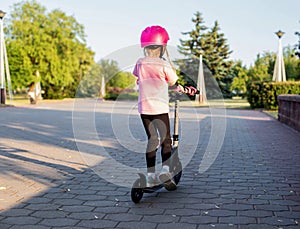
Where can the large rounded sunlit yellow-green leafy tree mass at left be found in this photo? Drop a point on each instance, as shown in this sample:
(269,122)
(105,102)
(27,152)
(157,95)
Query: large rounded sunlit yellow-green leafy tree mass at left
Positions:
(51,45)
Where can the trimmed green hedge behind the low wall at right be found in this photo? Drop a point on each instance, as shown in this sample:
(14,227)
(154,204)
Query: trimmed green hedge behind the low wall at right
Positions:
(263,94)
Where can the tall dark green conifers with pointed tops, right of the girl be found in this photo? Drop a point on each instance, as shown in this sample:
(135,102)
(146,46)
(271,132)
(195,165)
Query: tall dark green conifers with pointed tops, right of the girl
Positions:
(215,55)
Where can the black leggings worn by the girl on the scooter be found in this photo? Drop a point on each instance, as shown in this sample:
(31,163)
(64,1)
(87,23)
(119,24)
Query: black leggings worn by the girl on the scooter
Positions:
(157,126)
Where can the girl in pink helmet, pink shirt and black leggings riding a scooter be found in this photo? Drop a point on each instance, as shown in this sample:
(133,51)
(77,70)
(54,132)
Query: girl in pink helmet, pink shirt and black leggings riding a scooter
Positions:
(155,75)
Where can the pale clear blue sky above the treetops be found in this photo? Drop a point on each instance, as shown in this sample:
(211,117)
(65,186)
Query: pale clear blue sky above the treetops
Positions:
(249,26)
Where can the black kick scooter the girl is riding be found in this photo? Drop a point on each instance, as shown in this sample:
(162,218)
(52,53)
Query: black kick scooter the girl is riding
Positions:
(140,185)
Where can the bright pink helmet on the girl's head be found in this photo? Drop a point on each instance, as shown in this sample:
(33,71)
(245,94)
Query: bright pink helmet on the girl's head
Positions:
(154,35)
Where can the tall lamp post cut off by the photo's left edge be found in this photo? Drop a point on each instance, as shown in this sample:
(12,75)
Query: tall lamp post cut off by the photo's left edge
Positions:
(2,88)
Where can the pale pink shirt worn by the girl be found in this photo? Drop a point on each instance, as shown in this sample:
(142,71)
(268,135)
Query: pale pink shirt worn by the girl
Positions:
(154,77)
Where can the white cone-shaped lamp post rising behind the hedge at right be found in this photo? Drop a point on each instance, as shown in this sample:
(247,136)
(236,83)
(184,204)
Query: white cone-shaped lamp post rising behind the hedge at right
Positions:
(279,69)
